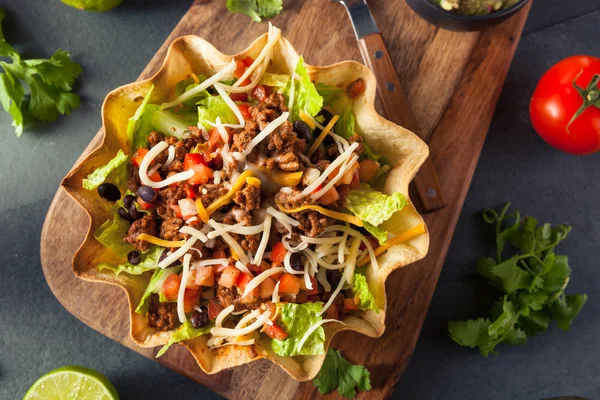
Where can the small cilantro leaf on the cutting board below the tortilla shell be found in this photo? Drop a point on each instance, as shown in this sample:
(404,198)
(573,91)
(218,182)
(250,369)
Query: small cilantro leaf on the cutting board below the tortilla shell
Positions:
(338,373)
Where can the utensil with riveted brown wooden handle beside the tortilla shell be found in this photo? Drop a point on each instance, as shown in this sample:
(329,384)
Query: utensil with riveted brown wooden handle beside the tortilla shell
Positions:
(395,103)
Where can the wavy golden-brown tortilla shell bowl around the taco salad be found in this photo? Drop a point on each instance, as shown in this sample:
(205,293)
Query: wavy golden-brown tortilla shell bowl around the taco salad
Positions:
(191,54)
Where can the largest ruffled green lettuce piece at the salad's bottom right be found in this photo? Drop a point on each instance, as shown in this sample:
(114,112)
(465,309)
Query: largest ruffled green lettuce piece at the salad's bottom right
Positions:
(296,320)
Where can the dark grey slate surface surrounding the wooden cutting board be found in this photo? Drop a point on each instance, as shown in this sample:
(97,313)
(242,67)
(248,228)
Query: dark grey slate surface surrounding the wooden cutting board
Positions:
(38,335)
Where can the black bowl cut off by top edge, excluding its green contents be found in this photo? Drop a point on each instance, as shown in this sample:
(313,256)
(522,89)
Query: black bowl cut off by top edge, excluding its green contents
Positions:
(437,16)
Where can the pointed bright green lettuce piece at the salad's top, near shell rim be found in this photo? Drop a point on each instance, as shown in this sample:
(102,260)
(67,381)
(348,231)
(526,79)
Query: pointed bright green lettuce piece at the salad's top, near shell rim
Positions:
(306,97)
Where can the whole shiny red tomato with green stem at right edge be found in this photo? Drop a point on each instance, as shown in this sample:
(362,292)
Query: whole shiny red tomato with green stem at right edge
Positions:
(556,103)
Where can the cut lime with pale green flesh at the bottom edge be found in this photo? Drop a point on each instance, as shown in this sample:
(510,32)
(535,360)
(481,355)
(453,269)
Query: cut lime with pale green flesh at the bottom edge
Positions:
(72,383)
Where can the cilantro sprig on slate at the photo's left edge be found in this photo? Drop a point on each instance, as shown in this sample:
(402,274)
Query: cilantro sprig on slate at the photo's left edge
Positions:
(49,81)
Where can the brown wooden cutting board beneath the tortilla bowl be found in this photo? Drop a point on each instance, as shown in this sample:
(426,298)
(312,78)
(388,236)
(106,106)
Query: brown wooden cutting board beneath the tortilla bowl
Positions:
(453,81)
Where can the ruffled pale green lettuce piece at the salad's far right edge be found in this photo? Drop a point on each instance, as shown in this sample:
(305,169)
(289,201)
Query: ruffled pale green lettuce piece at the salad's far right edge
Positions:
(374,208)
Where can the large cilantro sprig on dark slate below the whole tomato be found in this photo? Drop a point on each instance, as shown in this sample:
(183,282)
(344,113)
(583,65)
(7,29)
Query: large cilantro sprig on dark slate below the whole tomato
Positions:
(533,279)
